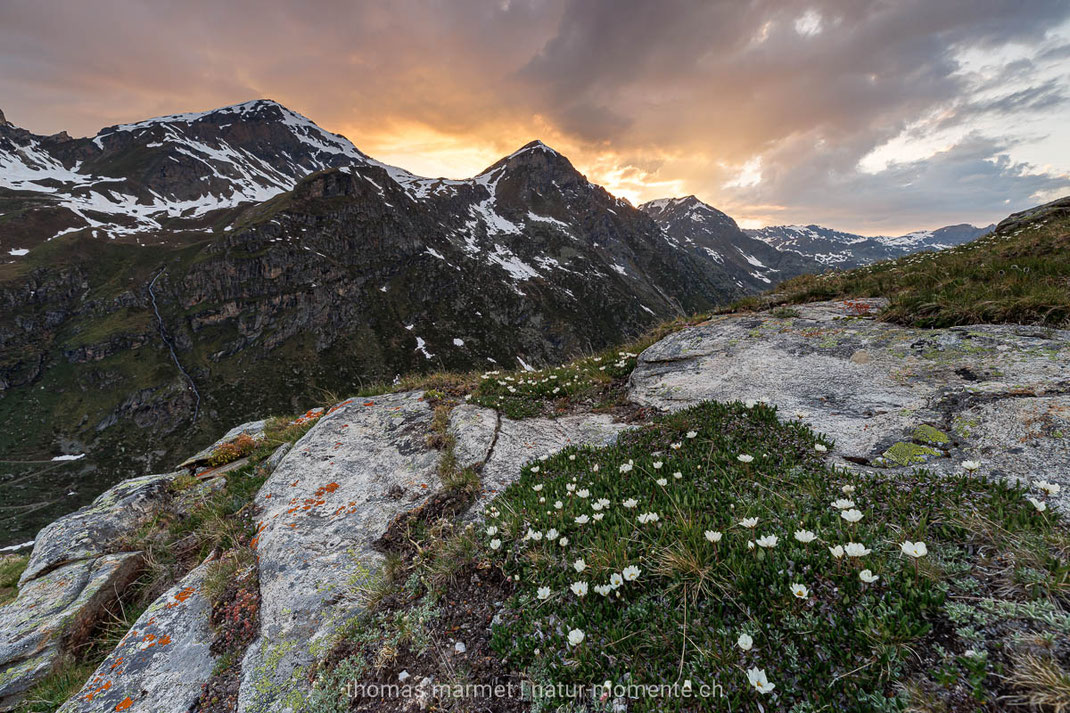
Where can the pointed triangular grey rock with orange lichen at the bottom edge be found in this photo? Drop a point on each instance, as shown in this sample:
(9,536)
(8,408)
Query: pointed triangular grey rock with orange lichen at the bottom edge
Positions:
(162,663)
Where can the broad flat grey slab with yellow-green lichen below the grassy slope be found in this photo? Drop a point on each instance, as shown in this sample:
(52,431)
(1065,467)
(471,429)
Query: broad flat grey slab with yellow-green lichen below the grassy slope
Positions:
(890,397)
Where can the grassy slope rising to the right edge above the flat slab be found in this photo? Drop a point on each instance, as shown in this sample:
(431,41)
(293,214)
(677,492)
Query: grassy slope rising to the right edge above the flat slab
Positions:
(1020,276)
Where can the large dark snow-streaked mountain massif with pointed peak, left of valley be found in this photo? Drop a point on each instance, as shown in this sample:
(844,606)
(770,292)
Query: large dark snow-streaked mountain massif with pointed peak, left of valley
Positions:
(173,276)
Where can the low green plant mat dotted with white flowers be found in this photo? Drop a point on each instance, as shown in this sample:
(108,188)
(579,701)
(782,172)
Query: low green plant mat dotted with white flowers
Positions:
(846,645)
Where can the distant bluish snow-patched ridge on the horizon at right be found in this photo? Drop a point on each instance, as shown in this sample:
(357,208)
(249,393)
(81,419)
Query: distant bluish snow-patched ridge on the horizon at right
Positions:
(835,249)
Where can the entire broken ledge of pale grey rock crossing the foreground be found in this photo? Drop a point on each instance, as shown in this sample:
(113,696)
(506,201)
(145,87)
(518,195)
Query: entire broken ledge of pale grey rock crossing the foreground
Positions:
(892,399)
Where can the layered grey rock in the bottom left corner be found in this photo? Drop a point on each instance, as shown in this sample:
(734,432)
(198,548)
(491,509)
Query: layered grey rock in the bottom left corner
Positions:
(54,612)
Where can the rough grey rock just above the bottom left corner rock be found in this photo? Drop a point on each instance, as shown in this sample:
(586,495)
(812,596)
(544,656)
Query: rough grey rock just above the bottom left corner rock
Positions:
(97,528)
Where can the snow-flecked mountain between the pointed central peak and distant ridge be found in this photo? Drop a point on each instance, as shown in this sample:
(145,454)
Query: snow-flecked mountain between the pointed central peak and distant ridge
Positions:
(706,231)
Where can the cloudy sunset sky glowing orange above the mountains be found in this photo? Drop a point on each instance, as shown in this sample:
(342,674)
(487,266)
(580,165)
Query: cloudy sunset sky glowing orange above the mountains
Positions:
(878,117)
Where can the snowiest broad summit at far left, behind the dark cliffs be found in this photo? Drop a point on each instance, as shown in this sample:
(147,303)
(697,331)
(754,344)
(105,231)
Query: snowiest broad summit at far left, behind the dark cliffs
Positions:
(169,174)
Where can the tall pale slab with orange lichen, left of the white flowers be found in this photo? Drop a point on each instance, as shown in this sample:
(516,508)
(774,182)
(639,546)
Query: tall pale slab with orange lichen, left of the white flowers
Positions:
(322,511)
